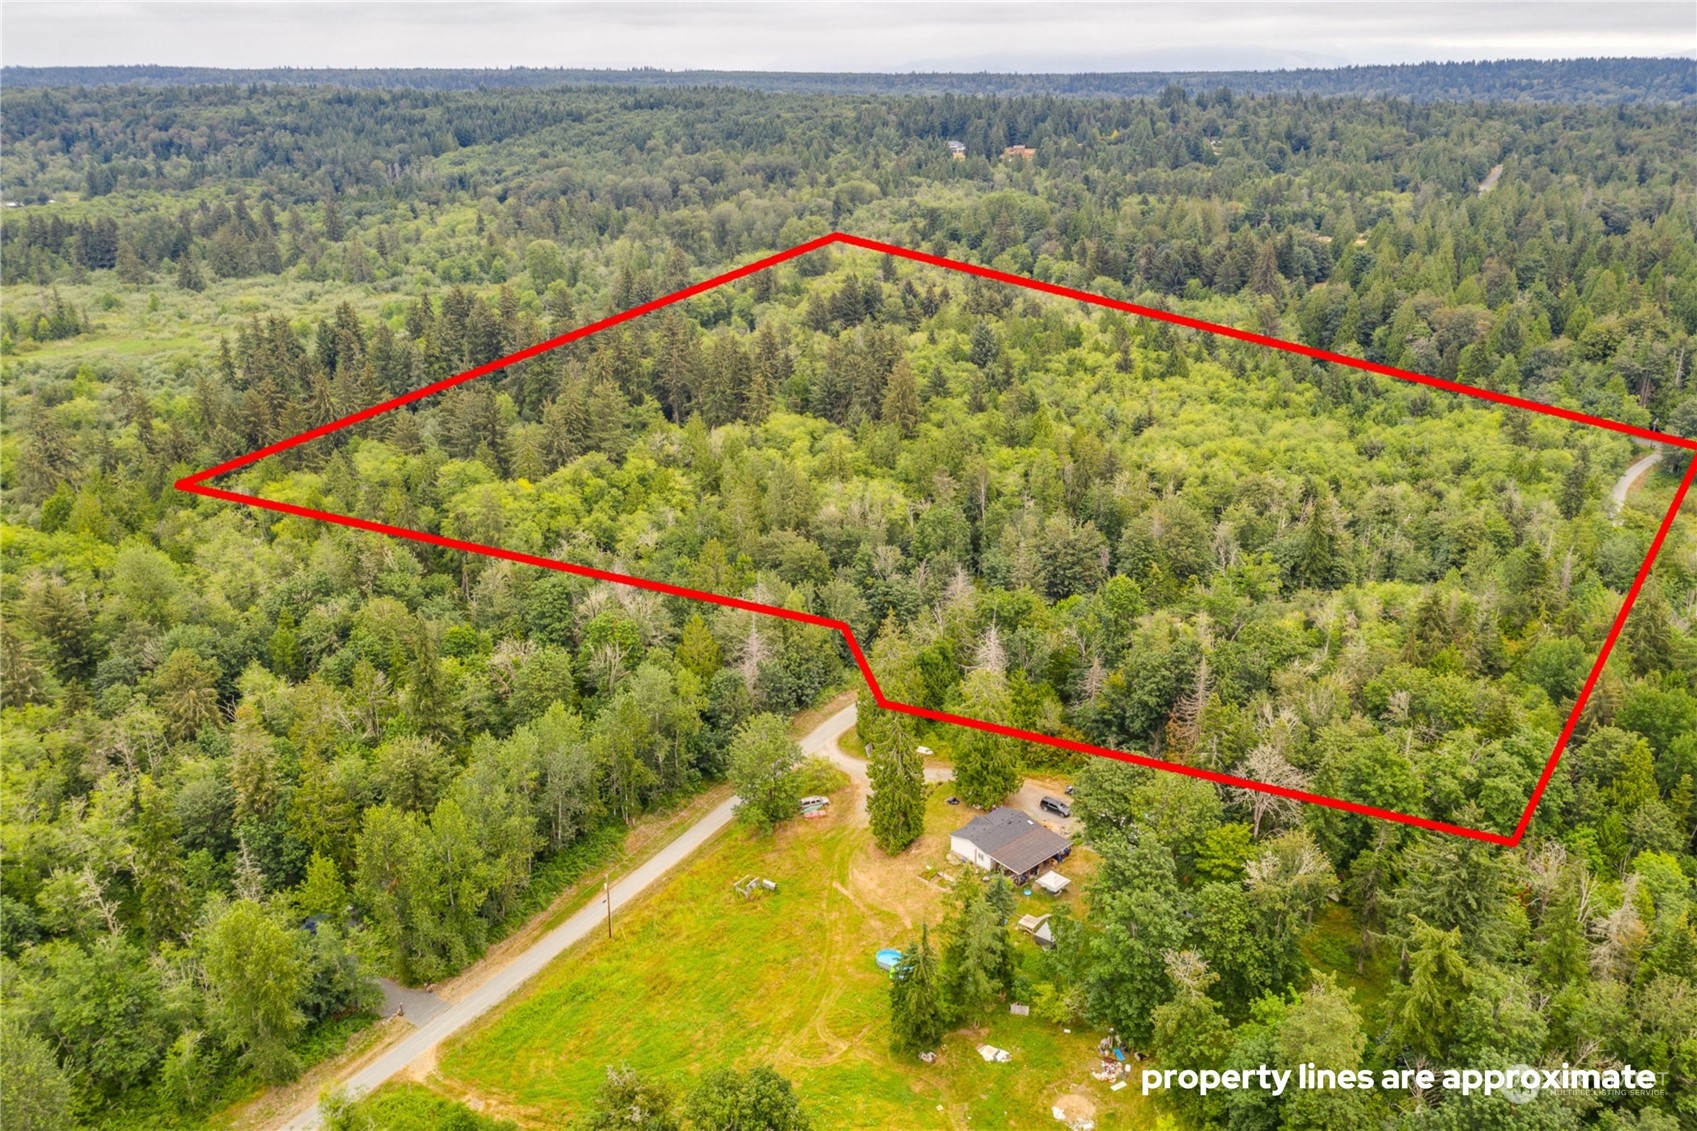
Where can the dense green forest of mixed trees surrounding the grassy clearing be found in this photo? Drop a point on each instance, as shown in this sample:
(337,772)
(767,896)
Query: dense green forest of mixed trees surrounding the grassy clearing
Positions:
(221,726)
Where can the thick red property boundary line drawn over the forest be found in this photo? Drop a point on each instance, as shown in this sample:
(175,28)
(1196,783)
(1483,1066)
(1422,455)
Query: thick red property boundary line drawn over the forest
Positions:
(198,485)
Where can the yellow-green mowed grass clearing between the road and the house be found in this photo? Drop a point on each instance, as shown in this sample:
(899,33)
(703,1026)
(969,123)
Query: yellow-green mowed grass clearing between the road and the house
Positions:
(698,977)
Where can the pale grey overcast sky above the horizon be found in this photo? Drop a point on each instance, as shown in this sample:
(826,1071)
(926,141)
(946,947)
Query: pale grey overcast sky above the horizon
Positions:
(836,37)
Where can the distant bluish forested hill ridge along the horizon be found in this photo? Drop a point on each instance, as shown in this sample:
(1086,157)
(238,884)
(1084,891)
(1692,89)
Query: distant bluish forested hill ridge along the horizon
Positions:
(1671,81)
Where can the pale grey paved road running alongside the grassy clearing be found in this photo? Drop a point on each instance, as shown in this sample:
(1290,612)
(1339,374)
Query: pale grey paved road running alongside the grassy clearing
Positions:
(530,962)
